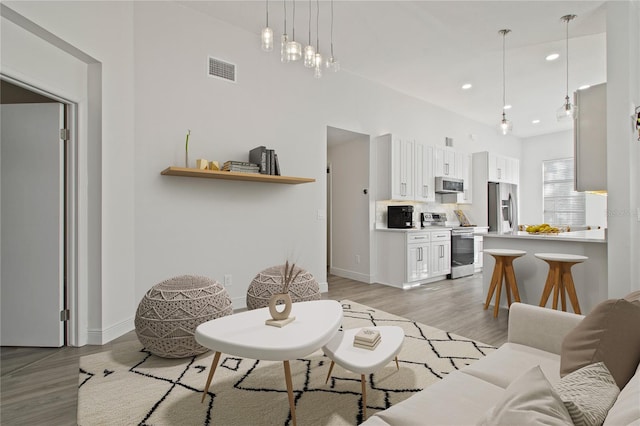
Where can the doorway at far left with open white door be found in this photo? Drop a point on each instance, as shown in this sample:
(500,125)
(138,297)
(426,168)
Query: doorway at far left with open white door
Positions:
(38,221)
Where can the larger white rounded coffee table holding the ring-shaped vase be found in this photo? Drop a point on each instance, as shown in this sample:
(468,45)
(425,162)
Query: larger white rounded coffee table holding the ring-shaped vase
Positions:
(246,335)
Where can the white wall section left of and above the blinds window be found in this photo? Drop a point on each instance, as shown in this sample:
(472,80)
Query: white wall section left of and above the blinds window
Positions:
(535,150)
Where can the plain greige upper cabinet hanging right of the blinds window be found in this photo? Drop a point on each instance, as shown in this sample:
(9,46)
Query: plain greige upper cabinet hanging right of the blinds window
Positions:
(590,139)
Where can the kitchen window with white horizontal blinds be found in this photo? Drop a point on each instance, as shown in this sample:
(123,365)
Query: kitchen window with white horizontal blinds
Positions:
(562,205)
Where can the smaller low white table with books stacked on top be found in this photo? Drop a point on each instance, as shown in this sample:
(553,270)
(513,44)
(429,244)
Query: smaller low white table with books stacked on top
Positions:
(364,361)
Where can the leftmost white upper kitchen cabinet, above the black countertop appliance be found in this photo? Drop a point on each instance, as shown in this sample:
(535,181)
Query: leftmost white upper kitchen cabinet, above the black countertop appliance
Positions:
(395,168)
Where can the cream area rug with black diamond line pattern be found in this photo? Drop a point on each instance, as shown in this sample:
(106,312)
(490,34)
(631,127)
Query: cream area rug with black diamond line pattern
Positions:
(129,386)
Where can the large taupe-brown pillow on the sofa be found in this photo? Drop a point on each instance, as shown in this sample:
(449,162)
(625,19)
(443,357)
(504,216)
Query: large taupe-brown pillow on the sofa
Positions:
(609,333)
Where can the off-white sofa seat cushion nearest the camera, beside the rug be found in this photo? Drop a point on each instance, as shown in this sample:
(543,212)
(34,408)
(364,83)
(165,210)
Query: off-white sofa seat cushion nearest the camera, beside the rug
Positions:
(458,399)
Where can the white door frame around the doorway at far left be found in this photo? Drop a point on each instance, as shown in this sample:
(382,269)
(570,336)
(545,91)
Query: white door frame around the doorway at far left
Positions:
(70,223)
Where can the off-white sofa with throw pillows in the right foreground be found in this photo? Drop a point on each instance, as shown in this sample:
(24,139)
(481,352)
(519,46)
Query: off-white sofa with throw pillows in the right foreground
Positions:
(465,396)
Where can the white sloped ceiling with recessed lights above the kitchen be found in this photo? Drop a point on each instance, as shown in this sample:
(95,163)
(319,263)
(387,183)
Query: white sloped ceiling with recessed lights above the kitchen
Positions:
(428,49)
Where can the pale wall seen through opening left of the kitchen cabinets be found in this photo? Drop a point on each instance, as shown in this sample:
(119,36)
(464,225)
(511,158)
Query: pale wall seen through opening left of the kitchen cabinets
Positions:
(350,209)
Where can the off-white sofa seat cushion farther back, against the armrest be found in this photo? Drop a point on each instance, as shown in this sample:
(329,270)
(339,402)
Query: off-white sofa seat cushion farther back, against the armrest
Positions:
(510,361)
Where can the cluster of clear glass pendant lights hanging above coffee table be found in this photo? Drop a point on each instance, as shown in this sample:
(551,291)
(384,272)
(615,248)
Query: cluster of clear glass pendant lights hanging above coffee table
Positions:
(291,50)
